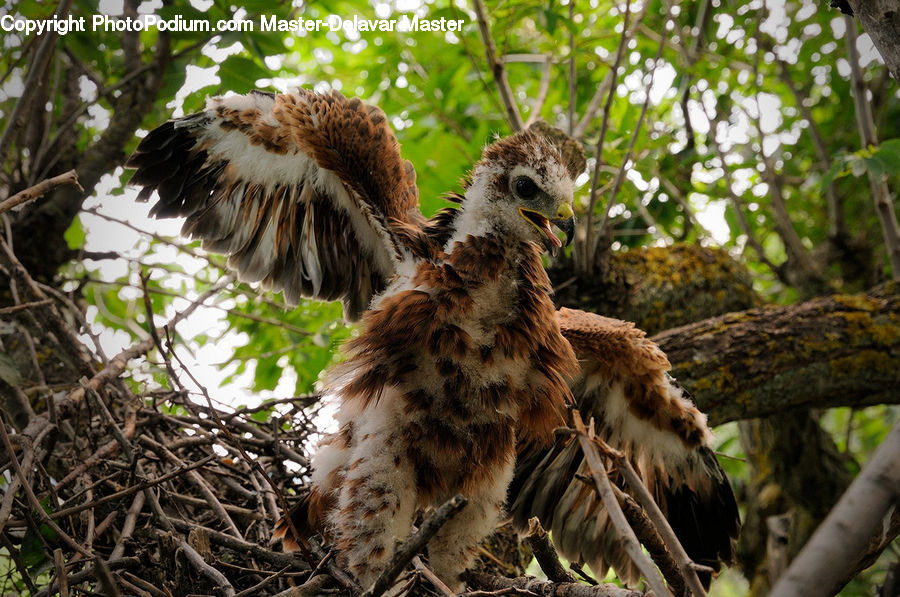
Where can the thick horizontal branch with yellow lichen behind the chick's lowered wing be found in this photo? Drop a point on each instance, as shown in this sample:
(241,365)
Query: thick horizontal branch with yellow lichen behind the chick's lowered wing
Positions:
(829,351)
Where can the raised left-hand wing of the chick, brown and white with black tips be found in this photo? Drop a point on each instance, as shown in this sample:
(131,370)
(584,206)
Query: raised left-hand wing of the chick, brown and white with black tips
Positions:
(305,192)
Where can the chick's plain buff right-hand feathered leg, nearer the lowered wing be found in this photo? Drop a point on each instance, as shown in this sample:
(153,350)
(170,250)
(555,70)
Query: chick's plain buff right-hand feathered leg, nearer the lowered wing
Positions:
(453,549)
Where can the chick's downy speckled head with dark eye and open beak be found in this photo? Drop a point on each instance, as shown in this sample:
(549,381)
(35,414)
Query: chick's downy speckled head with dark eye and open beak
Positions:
(522,188)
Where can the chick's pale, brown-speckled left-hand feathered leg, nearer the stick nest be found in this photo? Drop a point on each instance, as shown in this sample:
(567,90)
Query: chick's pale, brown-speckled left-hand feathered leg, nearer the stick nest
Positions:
(376,505)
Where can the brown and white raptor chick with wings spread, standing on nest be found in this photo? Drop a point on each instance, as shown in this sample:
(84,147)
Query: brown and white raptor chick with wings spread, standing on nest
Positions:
(463,367)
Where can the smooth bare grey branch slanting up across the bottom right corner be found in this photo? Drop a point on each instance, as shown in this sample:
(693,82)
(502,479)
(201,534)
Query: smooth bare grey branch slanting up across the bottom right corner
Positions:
(846,531)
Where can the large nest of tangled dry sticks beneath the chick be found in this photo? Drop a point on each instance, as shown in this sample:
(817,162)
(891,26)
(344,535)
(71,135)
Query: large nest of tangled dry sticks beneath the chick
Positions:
(111,492)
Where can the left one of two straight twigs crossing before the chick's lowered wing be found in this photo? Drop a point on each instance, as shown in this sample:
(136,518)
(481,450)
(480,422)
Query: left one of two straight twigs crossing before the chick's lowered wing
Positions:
(630,543)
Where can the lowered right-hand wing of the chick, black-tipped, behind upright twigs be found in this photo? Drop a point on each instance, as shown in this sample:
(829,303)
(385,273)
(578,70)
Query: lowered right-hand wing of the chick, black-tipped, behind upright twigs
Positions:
(637,408)
